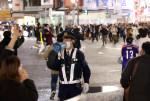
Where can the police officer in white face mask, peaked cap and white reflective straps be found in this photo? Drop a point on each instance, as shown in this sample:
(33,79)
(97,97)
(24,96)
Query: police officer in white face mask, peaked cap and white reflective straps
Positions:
(71,64)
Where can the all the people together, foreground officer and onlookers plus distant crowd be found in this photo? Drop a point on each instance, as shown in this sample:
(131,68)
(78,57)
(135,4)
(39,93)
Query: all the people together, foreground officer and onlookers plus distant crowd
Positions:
(70,64)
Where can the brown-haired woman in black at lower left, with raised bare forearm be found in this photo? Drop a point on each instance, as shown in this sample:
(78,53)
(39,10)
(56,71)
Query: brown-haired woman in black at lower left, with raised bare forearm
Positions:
(14,81)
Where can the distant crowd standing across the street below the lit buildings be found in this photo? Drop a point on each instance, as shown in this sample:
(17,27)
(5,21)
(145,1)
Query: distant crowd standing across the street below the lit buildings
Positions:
(111,31)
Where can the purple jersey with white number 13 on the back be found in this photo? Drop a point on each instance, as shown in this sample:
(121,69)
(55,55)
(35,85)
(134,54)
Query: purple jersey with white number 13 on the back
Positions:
(128,52)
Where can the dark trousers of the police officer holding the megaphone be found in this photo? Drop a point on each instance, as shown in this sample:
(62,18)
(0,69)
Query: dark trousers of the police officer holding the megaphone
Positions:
(67,91)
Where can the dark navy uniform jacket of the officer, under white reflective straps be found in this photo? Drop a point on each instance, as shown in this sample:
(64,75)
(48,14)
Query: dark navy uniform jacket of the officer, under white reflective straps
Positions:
(81,66)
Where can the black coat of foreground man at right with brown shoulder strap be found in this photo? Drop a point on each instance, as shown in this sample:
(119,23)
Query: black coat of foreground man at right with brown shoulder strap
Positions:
(140,87)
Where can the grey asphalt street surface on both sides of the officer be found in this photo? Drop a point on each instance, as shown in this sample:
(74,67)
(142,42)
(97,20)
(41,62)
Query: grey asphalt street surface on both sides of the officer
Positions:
(102,60)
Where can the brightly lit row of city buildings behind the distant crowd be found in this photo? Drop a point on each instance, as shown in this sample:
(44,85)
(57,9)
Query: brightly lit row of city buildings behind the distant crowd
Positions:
(75,11)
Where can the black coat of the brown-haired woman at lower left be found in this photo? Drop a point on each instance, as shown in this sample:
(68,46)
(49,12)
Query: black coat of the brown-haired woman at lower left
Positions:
(15,91)
